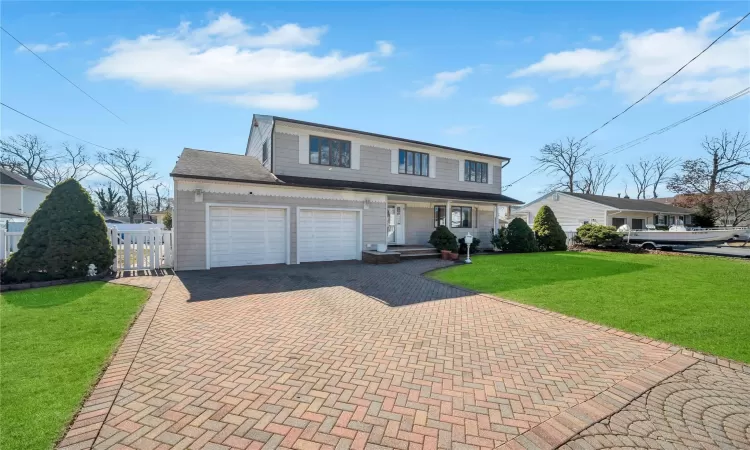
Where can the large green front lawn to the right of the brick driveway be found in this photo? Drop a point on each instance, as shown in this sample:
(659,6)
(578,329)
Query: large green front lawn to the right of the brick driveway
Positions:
(696,302)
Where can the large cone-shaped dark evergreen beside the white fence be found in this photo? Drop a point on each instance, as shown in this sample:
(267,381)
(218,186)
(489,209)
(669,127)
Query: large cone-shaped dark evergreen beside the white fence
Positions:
(62,238)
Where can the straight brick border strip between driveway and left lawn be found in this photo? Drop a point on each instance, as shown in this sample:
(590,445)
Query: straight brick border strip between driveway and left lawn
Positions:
(84,430)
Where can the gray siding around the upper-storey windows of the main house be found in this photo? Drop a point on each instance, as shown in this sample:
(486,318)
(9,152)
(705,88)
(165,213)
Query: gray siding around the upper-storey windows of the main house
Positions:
(375,167)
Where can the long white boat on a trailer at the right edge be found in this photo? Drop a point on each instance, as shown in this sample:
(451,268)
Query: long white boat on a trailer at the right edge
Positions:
(679,234)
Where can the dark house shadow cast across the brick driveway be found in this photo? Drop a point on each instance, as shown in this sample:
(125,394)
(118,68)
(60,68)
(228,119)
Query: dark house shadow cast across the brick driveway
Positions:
(394,285)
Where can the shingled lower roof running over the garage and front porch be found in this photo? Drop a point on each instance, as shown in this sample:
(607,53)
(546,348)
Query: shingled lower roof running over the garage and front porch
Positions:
(215,166)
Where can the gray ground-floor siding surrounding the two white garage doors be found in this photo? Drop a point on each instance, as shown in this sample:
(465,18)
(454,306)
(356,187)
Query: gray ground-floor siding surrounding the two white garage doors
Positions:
(190,238)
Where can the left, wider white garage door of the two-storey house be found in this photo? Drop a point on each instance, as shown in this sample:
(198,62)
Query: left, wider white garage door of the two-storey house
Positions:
(247,236)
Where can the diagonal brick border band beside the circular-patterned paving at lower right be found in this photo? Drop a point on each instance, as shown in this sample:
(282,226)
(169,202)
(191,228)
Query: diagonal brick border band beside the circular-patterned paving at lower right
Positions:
(559,429)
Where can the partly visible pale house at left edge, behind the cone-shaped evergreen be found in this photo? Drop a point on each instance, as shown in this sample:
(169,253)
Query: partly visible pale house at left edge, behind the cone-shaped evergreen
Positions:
(19,196)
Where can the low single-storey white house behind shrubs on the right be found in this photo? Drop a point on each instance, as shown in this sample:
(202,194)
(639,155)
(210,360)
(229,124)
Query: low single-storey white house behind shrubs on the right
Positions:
(573,210)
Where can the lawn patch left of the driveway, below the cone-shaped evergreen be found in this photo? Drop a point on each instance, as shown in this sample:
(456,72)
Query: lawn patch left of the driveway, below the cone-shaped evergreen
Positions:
(53,344)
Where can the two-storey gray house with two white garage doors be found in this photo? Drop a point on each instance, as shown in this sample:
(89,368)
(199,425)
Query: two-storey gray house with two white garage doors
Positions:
(308,192)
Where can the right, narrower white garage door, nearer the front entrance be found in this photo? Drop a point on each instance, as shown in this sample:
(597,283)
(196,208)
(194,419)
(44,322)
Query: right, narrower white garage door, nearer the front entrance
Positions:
(325,235)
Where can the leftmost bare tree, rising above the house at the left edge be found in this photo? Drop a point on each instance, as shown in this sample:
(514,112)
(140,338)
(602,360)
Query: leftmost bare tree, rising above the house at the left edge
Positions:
(24,154)
